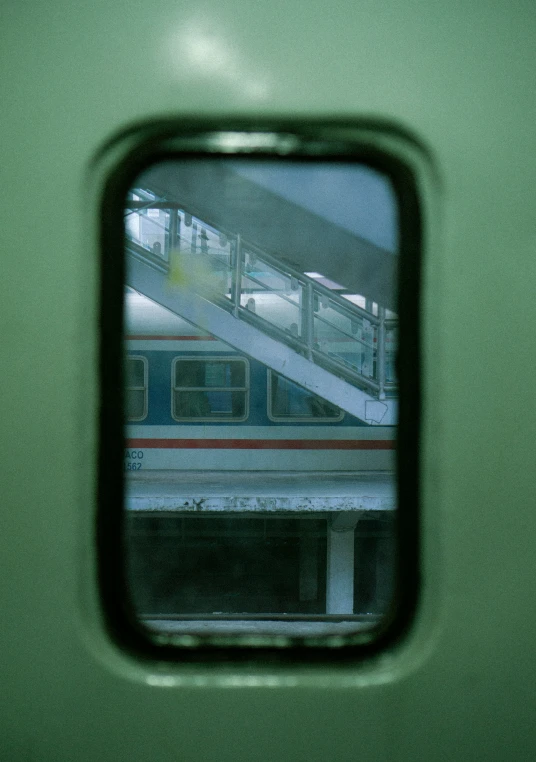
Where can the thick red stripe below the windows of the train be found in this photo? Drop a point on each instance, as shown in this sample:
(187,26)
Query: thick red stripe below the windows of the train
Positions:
(262,444)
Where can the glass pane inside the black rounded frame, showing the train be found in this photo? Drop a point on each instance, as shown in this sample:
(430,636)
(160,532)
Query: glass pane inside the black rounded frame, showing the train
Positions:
(261,486)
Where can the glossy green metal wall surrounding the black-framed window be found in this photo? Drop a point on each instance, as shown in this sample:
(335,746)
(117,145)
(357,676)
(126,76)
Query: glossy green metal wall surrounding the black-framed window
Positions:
(458,76)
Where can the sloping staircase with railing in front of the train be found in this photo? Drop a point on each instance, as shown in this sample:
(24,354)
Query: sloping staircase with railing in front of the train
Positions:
(338,345)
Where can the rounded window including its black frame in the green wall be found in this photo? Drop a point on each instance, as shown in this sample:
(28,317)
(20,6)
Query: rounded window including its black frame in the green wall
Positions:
(244,253)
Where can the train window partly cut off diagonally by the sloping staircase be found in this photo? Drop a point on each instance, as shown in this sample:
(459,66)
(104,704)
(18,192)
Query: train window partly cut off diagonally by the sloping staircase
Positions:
(292,403)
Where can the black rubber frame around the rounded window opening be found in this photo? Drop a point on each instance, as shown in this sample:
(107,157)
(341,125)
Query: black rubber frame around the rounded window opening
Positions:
(386,147)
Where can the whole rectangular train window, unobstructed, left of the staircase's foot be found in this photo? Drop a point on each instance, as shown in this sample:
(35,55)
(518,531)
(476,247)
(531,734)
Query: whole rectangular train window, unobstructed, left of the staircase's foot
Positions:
(210,389)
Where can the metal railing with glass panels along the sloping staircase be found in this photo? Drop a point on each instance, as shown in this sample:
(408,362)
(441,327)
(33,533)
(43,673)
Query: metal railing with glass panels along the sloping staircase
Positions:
(322,325)
